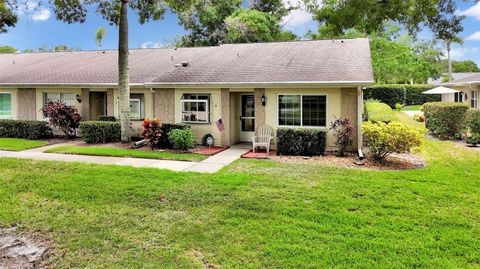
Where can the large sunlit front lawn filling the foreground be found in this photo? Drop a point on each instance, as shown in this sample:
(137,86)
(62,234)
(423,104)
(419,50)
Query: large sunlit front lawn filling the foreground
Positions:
(252,214)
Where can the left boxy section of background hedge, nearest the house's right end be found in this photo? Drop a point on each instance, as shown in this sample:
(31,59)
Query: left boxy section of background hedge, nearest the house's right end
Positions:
(389,95)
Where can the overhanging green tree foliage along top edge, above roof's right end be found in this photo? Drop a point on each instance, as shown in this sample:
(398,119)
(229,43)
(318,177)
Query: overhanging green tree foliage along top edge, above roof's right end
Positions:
(368,16)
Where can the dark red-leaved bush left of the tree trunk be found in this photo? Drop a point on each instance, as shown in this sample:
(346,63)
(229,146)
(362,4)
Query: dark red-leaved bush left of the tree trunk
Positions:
(64,117)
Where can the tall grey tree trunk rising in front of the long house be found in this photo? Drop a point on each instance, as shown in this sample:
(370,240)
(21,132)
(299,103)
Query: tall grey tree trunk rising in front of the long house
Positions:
(123,81)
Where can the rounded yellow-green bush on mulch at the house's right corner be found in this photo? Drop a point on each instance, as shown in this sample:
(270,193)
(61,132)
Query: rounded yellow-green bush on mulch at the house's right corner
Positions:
(383,139)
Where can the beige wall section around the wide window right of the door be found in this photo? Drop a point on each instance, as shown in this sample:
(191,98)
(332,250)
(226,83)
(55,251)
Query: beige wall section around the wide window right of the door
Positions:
(334,107)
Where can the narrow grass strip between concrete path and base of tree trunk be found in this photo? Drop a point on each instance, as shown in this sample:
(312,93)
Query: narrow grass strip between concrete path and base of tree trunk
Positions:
(117,152)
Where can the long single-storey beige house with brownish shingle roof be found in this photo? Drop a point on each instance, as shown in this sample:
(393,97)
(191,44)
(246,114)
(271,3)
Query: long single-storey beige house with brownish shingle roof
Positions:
(288,84)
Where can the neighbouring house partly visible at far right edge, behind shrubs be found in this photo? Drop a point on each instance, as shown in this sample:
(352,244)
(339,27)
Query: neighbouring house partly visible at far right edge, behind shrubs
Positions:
(469,87)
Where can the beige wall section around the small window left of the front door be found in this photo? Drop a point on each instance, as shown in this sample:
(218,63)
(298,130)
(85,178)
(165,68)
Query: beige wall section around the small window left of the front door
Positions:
(200,129)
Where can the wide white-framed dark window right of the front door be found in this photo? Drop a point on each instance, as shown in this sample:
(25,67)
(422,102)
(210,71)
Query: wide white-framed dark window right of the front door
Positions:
(302,110)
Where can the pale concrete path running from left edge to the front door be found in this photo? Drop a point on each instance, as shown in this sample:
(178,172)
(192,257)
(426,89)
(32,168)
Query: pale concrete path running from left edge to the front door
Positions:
(209,165)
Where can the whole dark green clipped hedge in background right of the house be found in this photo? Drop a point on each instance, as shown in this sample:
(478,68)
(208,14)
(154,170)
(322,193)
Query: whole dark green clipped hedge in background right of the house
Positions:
(401,94)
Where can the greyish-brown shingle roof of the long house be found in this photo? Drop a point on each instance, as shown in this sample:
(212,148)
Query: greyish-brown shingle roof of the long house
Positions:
(338,61)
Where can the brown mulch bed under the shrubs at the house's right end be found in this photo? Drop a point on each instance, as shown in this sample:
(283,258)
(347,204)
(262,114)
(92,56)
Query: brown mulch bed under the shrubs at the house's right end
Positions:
(392,162)
